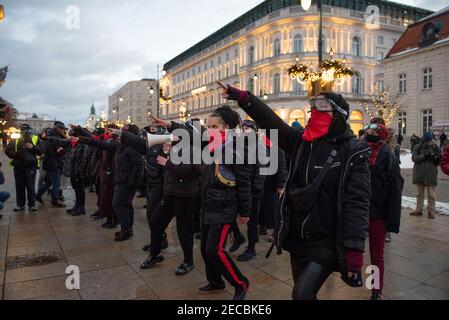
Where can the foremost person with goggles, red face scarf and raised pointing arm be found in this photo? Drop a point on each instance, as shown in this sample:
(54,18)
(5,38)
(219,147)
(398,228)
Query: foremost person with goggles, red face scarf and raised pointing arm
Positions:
(325,207)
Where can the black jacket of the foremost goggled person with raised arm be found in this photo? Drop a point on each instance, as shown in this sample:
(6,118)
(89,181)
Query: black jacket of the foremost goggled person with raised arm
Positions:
(339,219)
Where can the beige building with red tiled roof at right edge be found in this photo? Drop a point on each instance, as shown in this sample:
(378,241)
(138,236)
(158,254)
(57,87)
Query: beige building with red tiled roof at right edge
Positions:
(418,68)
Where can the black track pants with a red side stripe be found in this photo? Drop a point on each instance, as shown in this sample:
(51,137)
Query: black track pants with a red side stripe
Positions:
(218,262)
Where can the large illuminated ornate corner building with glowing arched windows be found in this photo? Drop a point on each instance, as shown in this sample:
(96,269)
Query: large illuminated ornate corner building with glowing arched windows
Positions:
(254,52)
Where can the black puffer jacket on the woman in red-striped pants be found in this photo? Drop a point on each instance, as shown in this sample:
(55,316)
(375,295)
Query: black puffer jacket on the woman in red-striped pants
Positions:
(221,203)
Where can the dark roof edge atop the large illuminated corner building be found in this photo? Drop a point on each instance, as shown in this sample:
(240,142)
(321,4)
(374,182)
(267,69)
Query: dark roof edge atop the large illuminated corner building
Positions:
(267,7)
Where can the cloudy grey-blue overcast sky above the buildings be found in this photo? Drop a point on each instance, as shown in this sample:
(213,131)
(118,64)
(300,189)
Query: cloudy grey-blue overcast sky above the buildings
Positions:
(59,71)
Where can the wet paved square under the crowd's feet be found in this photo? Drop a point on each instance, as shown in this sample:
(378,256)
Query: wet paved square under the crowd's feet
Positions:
(417,261)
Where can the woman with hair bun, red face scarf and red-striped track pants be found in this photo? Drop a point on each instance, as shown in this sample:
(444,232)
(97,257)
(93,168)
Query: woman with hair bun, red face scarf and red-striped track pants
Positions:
(226,194)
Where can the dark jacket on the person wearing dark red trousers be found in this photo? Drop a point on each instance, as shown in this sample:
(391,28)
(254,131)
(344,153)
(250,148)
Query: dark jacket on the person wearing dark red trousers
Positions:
(386,189)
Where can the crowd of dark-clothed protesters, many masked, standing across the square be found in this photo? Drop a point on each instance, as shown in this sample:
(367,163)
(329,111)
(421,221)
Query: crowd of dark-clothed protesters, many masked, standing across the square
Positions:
(331,192)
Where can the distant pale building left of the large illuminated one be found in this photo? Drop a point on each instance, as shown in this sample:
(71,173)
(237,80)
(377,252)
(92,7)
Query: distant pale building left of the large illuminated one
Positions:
(133,103)
